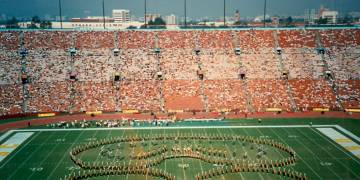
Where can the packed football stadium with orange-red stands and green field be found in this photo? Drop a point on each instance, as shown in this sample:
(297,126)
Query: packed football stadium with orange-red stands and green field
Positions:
(193,103)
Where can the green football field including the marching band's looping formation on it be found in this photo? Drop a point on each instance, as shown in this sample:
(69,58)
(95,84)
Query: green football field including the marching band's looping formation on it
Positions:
(188,149)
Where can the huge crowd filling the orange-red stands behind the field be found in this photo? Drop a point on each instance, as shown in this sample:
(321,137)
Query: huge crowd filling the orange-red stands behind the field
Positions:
(170,78)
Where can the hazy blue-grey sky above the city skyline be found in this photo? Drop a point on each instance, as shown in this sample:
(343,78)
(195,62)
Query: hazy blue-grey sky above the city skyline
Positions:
(196,8)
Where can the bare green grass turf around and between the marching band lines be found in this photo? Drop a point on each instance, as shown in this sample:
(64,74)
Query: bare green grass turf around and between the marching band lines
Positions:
(45,155)
